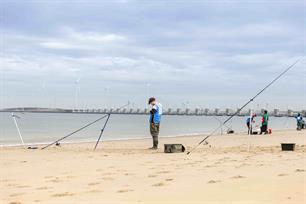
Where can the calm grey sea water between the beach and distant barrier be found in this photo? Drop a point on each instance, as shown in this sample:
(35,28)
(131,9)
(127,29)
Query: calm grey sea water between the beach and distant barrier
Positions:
(43,128)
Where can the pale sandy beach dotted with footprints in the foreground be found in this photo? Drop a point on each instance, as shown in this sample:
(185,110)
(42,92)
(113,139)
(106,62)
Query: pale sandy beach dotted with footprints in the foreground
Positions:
(230,169)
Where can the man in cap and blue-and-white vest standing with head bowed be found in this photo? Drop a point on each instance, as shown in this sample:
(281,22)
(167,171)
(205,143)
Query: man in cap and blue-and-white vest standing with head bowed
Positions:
(155,116)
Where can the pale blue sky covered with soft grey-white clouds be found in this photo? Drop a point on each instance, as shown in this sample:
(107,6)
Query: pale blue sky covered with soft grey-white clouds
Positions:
(96,54)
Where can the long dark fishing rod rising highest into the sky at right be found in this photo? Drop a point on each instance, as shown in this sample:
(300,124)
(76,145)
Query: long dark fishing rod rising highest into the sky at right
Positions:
(238,111)
